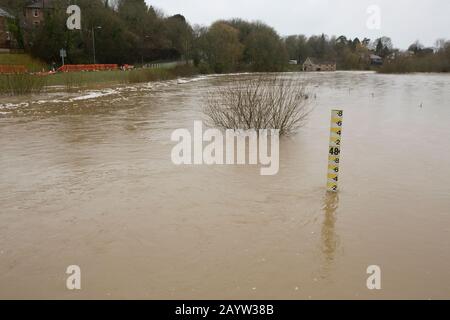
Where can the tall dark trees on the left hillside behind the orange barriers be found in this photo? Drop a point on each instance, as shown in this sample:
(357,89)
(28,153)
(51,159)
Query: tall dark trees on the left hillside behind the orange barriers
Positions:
(130,32)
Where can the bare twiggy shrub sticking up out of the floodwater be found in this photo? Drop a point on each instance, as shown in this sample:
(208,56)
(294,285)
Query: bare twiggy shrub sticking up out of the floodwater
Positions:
(261,103)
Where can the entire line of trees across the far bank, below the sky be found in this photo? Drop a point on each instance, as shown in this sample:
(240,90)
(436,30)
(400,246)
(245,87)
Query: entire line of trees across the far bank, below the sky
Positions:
(133,32)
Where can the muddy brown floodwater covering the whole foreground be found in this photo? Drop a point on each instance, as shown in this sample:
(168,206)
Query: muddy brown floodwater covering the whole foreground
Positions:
(87,179)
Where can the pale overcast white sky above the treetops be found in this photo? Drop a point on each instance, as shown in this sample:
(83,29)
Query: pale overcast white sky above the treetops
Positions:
(405,21)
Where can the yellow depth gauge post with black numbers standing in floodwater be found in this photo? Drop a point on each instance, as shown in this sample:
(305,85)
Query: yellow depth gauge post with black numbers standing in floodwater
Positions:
(334,158)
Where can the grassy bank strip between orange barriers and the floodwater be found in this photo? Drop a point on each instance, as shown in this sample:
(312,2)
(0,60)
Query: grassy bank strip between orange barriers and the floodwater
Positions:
(21,84)
